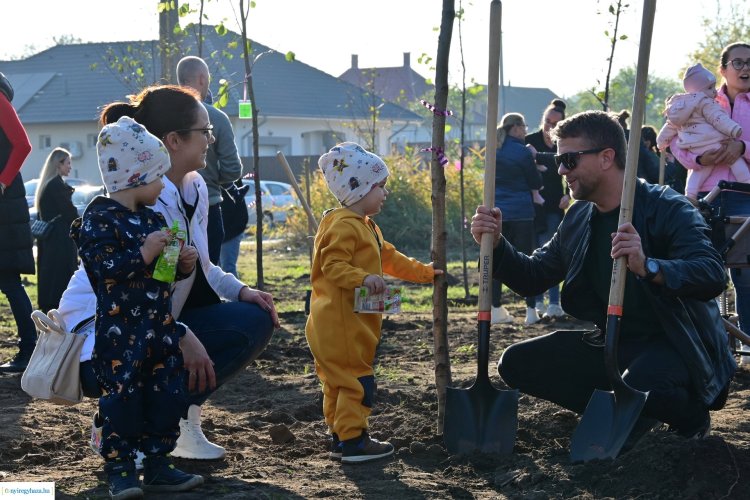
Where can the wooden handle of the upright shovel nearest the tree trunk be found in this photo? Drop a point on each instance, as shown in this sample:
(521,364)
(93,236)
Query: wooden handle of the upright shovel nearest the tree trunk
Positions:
(486,243)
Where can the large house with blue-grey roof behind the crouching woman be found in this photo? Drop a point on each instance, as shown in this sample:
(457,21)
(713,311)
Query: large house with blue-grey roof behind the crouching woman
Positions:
(302,111)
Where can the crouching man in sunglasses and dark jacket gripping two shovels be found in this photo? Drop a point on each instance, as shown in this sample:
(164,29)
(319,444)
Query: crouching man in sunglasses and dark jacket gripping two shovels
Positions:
(672,343)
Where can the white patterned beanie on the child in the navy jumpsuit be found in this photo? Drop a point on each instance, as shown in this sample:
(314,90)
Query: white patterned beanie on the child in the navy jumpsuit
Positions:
(129,155)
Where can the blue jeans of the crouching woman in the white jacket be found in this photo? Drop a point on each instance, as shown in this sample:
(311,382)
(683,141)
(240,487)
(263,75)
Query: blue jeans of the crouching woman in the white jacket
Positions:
(233,333)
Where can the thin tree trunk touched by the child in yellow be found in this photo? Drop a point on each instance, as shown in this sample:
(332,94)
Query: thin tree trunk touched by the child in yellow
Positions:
(440,292)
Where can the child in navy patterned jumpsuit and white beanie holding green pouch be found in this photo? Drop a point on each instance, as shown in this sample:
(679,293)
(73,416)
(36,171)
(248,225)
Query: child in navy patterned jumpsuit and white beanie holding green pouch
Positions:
(137,357)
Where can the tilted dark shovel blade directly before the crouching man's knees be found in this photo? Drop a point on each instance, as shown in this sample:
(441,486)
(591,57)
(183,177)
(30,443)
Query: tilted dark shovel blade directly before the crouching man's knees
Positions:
(606,424)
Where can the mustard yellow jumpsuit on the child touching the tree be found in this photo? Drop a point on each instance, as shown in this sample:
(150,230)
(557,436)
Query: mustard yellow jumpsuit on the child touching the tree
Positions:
(349,247)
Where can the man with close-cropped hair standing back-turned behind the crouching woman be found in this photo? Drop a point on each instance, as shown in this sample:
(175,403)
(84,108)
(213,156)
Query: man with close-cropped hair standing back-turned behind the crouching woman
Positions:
(223,164)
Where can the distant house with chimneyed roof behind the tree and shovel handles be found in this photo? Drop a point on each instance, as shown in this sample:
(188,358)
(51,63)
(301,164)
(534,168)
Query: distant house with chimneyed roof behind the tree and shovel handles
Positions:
(403,85)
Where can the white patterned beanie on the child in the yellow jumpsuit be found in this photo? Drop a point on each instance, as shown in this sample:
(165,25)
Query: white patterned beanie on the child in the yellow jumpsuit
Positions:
(351,172)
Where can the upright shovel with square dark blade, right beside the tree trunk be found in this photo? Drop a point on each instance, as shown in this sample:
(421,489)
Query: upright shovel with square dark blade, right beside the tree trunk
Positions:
(482,418)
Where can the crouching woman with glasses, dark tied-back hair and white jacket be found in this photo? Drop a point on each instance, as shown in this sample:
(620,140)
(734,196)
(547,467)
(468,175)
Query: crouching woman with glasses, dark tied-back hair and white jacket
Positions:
(232,322)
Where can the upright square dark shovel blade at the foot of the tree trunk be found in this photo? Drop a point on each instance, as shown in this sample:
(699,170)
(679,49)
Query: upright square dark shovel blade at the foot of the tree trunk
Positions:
(480,419)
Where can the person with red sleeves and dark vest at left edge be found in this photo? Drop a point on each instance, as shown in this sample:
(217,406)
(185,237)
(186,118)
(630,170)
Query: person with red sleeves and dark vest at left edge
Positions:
(16,255)
